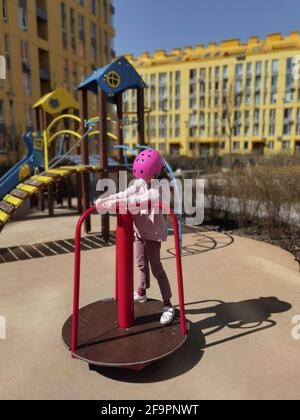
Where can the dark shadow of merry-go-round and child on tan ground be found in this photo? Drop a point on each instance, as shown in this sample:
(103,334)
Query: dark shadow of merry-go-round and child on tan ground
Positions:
(244,318)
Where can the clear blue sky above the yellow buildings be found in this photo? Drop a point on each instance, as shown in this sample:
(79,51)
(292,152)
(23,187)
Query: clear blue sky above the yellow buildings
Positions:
(148,25)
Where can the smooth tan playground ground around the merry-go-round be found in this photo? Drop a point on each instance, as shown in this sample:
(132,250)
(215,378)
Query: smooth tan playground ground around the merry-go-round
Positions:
(241,297)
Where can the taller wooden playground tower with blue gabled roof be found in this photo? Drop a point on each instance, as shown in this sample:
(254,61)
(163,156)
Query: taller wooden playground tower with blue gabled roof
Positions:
(109,84)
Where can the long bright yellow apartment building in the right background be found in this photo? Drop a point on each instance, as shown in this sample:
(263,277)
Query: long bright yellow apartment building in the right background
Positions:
(229,97)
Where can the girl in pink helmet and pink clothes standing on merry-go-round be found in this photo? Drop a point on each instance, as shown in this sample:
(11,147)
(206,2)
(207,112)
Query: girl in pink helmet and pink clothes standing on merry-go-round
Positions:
(150,229)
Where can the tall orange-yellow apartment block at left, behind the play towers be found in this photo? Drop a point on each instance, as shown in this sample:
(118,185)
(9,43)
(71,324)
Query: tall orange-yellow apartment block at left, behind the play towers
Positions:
(48,44)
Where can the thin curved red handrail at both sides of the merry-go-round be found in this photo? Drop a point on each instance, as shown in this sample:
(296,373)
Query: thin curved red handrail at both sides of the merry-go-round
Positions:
(77,267)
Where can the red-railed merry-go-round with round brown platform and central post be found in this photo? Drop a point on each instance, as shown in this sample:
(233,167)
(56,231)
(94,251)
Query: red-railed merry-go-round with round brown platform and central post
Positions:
(115,332)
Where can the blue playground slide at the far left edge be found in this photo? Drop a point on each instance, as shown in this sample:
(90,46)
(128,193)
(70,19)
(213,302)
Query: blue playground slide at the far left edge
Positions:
(11,179)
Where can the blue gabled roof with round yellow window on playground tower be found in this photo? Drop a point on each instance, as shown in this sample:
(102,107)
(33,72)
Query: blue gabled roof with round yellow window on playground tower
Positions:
(123,76)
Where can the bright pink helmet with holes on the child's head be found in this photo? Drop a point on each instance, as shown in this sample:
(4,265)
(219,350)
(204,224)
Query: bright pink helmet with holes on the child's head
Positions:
(148,164)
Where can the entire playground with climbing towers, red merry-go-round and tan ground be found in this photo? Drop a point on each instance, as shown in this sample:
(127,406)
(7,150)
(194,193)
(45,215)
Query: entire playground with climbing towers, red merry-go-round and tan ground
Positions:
(235,298)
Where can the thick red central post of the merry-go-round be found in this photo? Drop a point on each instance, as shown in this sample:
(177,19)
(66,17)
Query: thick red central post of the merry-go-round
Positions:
(125,270)
